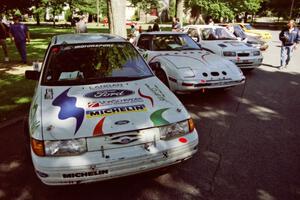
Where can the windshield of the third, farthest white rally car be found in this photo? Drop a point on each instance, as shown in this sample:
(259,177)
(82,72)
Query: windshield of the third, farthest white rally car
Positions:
(217,34)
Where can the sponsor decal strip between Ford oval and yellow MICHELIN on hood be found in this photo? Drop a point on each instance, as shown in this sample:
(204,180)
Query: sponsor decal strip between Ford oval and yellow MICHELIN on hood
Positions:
(96,104)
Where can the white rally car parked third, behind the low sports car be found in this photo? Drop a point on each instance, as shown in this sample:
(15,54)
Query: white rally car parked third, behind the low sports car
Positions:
(220,41)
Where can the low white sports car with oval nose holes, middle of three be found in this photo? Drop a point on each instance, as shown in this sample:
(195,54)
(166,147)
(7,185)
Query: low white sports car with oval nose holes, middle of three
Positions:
(183,66)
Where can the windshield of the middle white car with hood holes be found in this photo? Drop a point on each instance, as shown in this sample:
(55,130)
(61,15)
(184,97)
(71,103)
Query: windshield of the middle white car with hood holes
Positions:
(174,42)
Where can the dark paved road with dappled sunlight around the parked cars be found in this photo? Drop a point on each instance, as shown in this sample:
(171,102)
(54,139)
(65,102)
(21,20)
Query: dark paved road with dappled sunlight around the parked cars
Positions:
(249,148)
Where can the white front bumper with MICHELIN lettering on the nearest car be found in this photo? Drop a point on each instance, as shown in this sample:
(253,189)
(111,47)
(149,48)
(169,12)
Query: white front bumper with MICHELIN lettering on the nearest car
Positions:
(113,163)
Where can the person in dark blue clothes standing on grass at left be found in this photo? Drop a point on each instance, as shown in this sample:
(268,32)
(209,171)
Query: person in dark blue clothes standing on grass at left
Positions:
(19,34)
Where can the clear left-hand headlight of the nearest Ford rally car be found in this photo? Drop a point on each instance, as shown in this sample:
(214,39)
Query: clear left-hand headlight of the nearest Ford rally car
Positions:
(65,147)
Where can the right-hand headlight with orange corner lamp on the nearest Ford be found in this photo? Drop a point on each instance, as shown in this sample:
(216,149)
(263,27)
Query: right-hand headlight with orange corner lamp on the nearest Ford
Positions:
(176,129)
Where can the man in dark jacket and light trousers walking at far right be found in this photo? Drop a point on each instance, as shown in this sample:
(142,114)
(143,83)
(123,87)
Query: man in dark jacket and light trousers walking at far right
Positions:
(290,37)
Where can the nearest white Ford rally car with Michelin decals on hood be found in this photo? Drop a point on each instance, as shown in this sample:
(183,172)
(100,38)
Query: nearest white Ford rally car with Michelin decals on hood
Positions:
(99,113)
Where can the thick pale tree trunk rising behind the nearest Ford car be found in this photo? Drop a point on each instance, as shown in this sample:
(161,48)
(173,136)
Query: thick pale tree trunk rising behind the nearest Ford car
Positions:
(117,17)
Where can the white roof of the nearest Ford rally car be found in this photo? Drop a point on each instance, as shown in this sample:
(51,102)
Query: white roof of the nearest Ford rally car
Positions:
(85,38)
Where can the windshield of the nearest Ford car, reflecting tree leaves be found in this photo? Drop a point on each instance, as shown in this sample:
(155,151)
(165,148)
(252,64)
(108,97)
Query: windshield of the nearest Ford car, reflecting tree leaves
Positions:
(94,63)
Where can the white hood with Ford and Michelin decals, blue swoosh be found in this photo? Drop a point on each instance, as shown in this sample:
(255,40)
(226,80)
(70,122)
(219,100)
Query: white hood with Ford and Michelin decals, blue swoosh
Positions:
(99,109)
